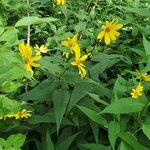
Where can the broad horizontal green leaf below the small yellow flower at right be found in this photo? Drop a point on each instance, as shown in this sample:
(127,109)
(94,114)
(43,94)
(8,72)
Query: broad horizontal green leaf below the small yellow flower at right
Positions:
(124,106)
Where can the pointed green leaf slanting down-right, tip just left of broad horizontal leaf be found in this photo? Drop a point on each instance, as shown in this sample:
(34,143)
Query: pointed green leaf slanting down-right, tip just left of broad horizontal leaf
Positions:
(93,115)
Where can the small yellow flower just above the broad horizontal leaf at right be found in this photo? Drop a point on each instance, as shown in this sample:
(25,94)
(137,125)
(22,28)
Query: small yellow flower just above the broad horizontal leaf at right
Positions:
(137,92)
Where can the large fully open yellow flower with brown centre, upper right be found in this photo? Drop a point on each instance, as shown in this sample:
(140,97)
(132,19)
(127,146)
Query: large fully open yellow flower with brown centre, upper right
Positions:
(109,32)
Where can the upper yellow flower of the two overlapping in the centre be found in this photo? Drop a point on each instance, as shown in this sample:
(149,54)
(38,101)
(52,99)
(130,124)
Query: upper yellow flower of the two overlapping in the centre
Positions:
(72,44)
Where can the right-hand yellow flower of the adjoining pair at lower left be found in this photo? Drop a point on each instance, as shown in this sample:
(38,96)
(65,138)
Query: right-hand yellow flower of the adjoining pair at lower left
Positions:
(23,114)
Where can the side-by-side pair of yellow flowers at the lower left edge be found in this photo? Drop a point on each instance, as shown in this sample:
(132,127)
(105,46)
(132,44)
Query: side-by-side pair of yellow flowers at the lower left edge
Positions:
(23,114)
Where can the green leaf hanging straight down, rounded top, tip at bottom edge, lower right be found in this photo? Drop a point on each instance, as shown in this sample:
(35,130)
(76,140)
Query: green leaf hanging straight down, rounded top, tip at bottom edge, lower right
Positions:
(113,133)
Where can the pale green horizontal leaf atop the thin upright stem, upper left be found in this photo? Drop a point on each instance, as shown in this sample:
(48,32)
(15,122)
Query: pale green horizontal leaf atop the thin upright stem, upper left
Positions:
(34,20)
